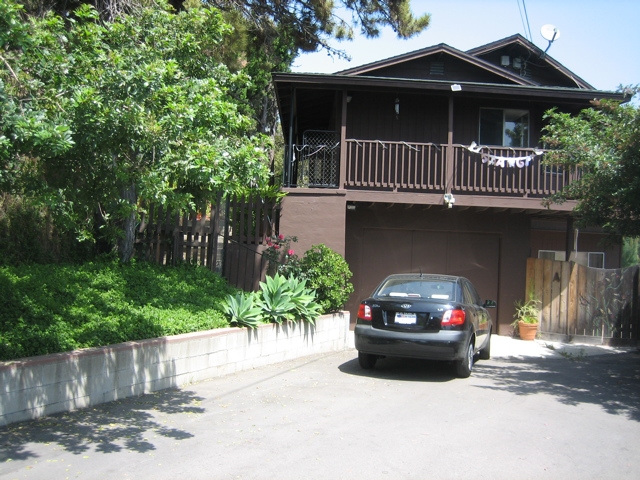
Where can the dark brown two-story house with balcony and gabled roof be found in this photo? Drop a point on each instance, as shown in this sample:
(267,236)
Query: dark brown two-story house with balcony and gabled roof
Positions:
(431,161)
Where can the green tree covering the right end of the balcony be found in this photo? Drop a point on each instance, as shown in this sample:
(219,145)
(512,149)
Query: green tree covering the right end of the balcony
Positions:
(602,144)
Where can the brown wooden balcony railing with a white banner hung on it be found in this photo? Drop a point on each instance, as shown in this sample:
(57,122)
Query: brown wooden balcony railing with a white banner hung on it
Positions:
(436,168)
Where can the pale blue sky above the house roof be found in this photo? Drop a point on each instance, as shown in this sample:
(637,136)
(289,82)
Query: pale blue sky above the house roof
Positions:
(599,40)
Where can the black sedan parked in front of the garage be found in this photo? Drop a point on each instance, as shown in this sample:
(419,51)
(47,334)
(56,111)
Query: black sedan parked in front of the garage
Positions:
(434,317)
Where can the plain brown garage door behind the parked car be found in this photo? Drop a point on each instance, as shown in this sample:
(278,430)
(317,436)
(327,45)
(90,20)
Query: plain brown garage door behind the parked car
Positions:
(472,255)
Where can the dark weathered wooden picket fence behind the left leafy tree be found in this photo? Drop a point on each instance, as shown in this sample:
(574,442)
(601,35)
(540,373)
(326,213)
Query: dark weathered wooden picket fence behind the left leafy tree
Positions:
(228,236)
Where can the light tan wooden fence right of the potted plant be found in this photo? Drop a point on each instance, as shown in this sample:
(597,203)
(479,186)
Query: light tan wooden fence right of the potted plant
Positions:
(578,301)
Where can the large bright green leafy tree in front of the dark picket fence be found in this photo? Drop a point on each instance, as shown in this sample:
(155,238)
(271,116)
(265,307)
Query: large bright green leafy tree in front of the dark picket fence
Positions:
(101,117)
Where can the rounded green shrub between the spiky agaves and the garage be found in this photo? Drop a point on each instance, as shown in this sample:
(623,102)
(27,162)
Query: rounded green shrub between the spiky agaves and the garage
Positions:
(328,274)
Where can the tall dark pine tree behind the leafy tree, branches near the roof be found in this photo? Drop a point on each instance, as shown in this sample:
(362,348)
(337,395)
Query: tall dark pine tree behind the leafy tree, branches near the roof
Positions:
(269,35)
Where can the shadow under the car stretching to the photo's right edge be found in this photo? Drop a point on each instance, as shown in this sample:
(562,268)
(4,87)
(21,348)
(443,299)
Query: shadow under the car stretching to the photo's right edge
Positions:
(611,381)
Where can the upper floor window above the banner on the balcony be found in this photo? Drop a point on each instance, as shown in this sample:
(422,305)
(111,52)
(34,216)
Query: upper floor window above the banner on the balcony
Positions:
(504,127)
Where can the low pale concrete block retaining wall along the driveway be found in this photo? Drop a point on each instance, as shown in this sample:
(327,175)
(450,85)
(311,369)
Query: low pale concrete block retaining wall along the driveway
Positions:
(38,386)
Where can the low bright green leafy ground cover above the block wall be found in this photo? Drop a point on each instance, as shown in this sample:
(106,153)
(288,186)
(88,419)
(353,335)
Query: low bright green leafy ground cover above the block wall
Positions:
(57,308)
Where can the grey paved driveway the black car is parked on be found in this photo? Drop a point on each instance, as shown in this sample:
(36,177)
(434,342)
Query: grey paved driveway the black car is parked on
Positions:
(535,410)
